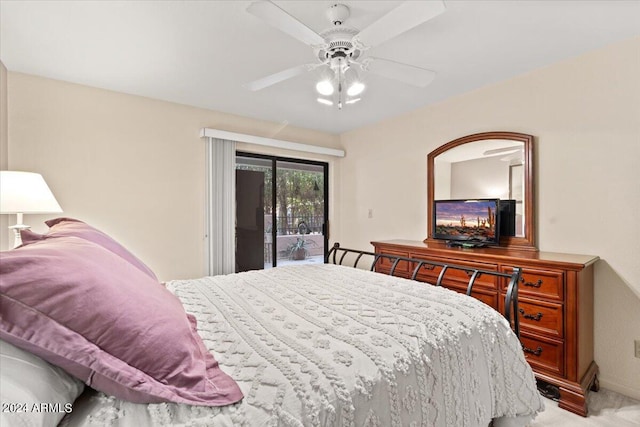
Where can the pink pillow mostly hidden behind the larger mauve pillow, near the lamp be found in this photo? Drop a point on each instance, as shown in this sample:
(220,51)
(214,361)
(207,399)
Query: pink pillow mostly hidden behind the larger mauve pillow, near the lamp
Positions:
(66,227)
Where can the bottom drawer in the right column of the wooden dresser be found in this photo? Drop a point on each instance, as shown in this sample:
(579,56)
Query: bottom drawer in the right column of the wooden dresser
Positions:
(543,354)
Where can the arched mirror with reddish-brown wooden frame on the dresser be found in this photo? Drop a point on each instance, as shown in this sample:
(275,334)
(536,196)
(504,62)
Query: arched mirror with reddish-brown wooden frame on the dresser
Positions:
(486,165)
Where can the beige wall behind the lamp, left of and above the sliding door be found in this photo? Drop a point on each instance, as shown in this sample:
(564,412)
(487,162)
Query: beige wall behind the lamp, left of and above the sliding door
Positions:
(131,166)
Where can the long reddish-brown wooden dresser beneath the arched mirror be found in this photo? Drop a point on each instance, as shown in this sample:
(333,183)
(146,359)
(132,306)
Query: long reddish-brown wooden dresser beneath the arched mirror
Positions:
(555,299)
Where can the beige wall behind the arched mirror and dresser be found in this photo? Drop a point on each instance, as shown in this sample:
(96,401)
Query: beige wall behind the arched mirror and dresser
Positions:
(585,114)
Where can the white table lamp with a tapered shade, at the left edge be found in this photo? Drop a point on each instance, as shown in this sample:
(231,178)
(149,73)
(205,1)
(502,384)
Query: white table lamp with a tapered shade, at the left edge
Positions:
(25,193)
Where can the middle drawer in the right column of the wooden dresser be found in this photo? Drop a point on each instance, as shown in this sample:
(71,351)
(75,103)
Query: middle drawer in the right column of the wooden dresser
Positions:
(541,317)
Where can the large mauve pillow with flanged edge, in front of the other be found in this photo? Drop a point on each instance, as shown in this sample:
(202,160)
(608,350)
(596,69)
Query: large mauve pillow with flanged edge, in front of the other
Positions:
(83,308)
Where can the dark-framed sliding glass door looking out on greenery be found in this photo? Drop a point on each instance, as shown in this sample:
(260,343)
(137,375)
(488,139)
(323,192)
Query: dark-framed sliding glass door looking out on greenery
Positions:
(281,211)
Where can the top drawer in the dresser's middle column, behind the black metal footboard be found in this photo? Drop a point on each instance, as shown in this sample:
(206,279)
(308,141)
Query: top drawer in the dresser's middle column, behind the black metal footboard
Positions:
(454,277)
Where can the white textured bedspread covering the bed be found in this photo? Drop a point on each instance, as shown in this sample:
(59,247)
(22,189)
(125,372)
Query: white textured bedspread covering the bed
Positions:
(325,345)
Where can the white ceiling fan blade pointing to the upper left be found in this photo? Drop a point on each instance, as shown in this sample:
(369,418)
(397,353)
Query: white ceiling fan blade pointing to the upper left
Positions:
(281,20)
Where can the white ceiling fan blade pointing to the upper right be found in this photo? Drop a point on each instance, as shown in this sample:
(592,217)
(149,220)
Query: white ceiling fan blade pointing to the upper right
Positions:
(403,18)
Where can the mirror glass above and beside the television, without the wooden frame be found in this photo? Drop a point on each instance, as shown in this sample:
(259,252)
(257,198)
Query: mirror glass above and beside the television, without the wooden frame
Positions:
(491,168)
